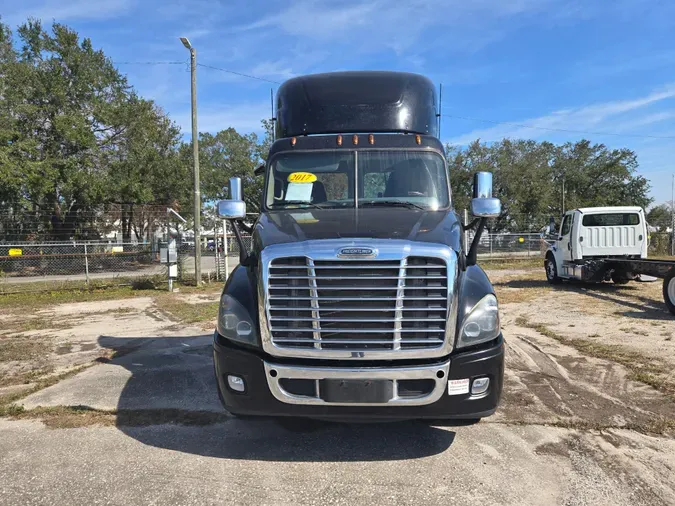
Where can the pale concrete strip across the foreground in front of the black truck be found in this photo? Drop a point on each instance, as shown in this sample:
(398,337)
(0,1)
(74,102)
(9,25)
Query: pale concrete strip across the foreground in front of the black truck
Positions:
(261,463)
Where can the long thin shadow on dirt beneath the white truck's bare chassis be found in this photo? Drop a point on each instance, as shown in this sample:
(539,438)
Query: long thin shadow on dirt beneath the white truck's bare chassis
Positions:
(639,307)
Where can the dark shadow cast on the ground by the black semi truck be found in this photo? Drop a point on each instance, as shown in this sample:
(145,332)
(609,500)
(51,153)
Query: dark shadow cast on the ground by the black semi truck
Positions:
(170,401)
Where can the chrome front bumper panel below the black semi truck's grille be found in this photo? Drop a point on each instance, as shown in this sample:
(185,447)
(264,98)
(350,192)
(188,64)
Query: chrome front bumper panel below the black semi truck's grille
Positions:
(437,372)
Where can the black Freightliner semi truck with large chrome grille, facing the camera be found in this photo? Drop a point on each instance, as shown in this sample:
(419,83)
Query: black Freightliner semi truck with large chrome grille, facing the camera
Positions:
(358,299)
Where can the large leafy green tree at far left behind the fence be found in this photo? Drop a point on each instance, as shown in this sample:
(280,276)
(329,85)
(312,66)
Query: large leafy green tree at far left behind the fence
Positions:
(75,136)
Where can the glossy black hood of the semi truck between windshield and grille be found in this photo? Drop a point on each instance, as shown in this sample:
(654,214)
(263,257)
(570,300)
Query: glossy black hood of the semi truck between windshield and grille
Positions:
(275,227)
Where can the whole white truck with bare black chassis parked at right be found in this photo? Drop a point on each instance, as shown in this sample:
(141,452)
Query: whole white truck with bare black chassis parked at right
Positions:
(596,244)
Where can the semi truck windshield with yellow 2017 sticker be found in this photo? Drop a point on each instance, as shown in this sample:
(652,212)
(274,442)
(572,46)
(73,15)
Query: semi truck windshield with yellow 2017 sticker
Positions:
(330,179)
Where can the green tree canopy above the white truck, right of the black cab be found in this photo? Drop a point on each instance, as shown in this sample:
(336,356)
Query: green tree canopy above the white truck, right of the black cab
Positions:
(529,178)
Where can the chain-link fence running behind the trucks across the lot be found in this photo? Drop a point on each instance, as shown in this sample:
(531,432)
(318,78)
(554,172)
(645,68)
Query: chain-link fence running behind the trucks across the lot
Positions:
(23,264)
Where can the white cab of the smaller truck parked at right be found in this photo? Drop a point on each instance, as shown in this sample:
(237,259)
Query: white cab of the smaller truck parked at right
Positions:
(594,233)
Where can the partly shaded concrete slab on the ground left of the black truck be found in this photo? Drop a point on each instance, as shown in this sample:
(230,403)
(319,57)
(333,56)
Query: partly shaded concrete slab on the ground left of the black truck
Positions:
(163,372)
